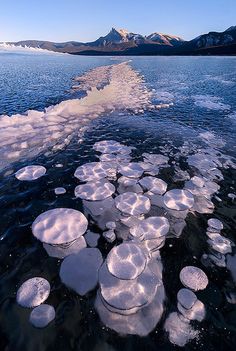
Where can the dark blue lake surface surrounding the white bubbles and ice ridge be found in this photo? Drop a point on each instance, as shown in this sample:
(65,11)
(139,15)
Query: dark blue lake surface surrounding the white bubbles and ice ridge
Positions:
(34,82)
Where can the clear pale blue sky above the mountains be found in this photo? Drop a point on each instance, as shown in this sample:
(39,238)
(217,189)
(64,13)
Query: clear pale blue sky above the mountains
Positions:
(85,20)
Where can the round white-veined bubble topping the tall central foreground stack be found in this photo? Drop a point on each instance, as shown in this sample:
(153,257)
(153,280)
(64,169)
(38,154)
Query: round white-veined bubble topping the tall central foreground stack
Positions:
(126,261)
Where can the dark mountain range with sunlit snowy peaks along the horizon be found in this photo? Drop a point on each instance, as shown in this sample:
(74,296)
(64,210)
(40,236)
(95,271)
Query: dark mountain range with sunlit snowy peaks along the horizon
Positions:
(123,42)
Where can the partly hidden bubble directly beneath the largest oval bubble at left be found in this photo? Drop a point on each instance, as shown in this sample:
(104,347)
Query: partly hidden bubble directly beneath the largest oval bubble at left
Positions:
(63,250)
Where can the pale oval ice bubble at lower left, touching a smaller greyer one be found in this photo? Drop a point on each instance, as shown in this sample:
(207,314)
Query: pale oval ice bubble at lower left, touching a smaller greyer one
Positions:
(33,292)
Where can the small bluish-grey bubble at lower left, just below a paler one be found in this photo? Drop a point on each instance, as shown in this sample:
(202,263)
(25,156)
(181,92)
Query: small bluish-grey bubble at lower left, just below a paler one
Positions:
(42,315)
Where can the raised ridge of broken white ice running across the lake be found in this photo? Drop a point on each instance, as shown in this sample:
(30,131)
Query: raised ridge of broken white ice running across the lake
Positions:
(37,132)
